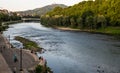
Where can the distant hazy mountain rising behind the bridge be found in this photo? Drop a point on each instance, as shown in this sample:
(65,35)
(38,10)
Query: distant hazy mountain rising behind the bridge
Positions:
(42,10)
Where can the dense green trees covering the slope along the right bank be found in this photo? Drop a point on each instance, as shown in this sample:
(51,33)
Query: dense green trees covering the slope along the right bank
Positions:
(89,15)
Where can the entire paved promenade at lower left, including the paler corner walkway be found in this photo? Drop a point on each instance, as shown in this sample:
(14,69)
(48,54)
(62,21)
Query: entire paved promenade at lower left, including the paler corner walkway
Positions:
(7,55)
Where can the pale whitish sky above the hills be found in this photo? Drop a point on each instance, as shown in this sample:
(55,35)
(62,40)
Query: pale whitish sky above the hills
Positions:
(21,5)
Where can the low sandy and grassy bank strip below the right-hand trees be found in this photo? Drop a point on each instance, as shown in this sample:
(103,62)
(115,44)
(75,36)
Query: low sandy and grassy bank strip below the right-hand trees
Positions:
(113,31)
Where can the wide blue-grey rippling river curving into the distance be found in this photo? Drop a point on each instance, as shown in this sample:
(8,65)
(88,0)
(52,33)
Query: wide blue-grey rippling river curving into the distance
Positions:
(69,51)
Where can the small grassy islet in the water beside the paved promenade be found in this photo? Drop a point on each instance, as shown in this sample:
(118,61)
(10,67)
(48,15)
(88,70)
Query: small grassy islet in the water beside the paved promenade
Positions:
(28,44)
